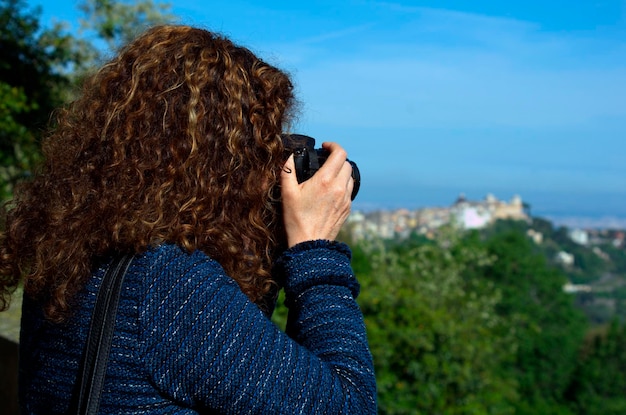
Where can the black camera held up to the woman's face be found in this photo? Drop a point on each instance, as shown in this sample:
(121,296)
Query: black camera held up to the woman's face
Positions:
(308,159)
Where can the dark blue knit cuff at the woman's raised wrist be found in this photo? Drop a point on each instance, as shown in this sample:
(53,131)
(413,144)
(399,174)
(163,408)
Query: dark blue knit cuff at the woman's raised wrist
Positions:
(319,262)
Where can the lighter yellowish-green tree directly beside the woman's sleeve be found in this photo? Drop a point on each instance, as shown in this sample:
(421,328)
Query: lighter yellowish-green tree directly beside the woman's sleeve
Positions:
(438,344)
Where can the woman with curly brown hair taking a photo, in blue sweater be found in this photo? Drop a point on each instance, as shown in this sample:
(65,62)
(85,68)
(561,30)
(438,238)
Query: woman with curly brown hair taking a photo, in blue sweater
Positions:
(173,153)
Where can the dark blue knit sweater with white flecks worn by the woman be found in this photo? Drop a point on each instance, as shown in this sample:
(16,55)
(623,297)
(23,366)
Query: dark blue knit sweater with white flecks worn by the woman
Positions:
(188,341)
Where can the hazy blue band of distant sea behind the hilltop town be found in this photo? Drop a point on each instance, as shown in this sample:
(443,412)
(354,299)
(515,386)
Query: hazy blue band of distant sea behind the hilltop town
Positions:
(587,210)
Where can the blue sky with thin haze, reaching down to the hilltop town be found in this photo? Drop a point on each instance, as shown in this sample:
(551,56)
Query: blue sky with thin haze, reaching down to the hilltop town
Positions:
(437,98)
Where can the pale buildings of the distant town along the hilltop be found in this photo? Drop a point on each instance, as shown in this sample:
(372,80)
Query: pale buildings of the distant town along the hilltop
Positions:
(465,213)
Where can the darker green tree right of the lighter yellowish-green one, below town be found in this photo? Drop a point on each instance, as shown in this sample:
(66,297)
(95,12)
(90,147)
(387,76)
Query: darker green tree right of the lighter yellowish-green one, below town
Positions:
(550,329)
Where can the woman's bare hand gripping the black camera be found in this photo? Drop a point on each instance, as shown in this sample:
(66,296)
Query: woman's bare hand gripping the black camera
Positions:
(318,207)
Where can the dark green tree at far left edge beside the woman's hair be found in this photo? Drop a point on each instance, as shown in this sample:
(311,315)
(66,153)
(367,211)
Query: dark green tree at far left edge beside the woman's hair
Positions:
(30,87)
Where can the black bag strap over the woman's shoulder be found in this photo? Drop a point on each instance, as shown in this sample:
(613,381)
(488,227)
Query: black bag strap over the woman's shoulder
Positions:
(93,369)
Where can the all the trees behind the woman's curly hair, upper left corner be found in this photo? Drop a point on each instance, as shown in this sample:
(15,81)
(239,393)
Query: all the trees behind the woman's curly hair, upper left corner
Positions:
(40,67)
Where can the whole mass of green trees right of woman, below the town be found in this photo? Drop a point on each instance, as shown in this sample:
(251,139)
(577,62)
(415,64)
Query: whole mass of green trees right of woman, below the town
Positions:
(478,323)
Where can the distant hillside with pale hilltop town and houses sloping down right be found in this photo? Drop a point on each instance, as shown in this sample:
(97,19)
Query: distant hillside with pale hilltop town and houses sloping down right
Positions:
(593,260)
